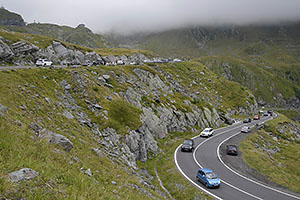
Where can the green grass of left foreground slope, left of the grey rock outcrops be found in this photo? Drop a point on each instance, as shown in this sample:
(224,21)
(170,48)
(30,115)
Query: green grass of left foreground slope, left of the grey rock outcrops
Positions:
(59,174)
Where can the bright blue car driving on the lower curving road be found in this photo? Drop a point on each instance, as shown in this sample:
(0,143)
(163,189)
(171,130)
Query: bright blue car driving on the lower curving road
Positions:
(208,178)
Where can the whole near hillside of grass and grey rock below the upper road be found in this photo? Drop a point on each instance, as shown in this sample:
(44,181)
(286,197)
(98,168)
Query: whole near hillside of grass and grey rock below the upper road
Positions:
(86,132)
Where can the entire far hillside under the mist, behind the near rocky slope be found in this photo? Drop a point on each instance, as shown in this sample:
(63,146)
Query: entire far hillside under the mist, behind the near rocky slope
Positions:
(265,58)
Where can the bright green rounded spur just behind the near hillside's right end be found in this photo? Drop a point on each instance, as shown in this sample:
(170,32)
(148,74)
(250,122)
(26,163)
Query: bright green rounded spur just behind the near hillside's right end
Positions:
(264,83)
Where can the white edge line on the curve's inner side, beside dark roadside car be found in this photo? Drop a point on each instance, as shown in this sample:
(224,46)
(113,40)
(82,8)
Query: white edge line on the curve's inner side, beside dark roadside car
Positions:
(268,187)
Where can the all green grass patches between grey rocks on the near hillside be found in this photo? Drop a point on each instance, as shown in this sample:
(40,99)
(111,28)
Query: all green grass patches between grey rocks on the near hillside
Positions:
(24,92)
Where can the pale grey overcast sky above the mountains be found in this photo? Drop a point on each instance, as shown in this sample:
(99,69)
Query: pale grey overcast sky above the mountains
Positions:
(130,16)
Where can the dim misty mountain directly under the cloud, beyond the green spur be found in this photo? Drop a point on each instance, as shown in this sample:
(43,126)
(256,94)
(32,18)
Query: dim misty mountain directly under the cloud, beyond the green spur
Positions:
(222,40)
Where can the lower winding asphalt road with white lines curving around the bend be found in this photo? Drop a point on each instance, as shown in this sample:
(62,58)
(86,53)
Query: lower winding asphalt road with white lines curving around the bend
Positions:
(233,185)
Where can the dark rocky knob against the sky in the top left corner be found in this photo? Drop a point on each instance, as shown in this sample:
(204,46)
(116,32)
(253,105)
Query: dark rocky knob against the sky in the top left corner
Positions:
(8,18)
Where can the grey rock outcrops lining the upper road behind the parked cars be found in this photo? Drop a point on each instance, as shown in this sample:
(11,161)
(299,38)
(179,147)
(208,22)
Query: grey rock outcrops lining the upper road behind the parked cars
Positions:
(24,53)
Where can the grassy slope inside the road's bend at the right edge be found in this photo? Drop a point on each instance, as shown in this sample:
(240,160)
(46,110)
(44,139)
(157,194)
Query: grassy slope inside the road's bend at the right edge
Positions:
(282,167)
